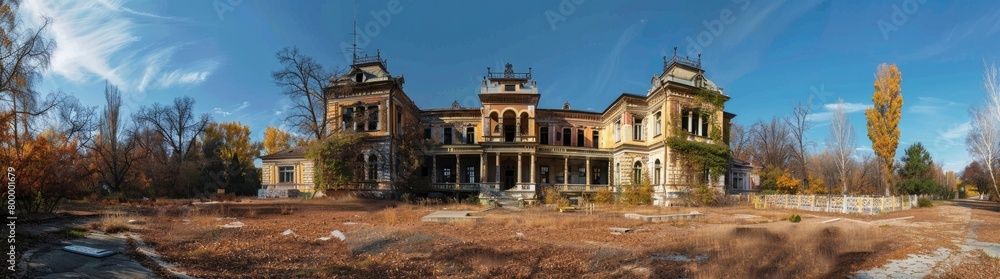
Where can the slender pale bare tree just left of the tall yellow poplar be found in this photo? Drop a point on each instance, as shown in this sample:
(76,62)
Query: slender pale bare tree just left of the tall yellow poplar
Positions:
(842,142)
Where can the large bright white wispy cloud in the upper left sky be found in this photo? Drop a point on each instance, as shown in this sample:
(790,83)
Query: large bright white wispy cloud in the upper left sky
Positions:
(102,40)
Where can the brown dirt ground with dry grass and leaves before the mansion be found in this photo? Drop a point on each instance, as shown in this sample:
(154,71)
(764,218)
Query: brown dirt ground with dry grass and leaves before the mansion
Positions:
(382,239)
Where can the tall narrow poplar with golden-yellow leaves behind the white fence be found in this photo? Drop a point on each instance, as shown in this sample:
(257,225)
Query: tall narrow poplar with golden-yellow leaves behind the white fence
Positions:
(883,118)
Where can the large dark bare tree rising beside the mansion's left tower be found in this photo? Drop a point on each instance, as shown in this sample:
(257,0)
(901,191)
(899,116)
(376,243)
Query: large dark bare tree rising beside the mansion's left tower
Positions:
(304,81)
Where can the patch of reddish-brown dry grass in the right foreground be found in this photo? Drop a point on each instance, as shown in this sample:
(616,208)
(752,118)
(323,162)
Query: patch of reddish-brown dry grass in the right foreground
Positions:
(782,252)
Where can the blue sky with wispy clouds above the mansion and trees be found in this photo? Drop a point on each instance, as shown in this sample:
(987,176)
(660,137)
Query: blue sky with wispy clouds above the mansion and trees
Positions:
(768,55)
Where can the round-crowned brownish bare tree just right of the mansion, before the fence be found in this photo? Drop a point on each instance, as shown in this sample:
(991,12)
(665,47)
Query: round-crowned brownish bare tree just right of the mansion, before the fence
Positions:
(772,145)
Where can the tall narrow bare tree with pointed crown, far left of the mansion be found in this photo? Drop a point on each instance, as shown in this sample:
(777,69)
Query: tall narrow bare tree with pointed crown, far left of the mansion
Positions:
(113,148)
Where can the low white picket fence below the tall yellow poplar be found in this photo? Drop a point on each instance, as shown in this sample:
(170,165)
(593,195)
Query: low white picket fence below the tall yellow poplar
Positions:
(842,204)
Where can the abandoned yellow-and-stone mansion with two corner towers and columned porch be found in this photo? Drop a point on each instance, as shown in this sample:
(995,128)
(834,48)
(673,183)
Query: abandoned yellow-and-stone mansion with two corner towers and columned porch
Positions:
(509,145)
